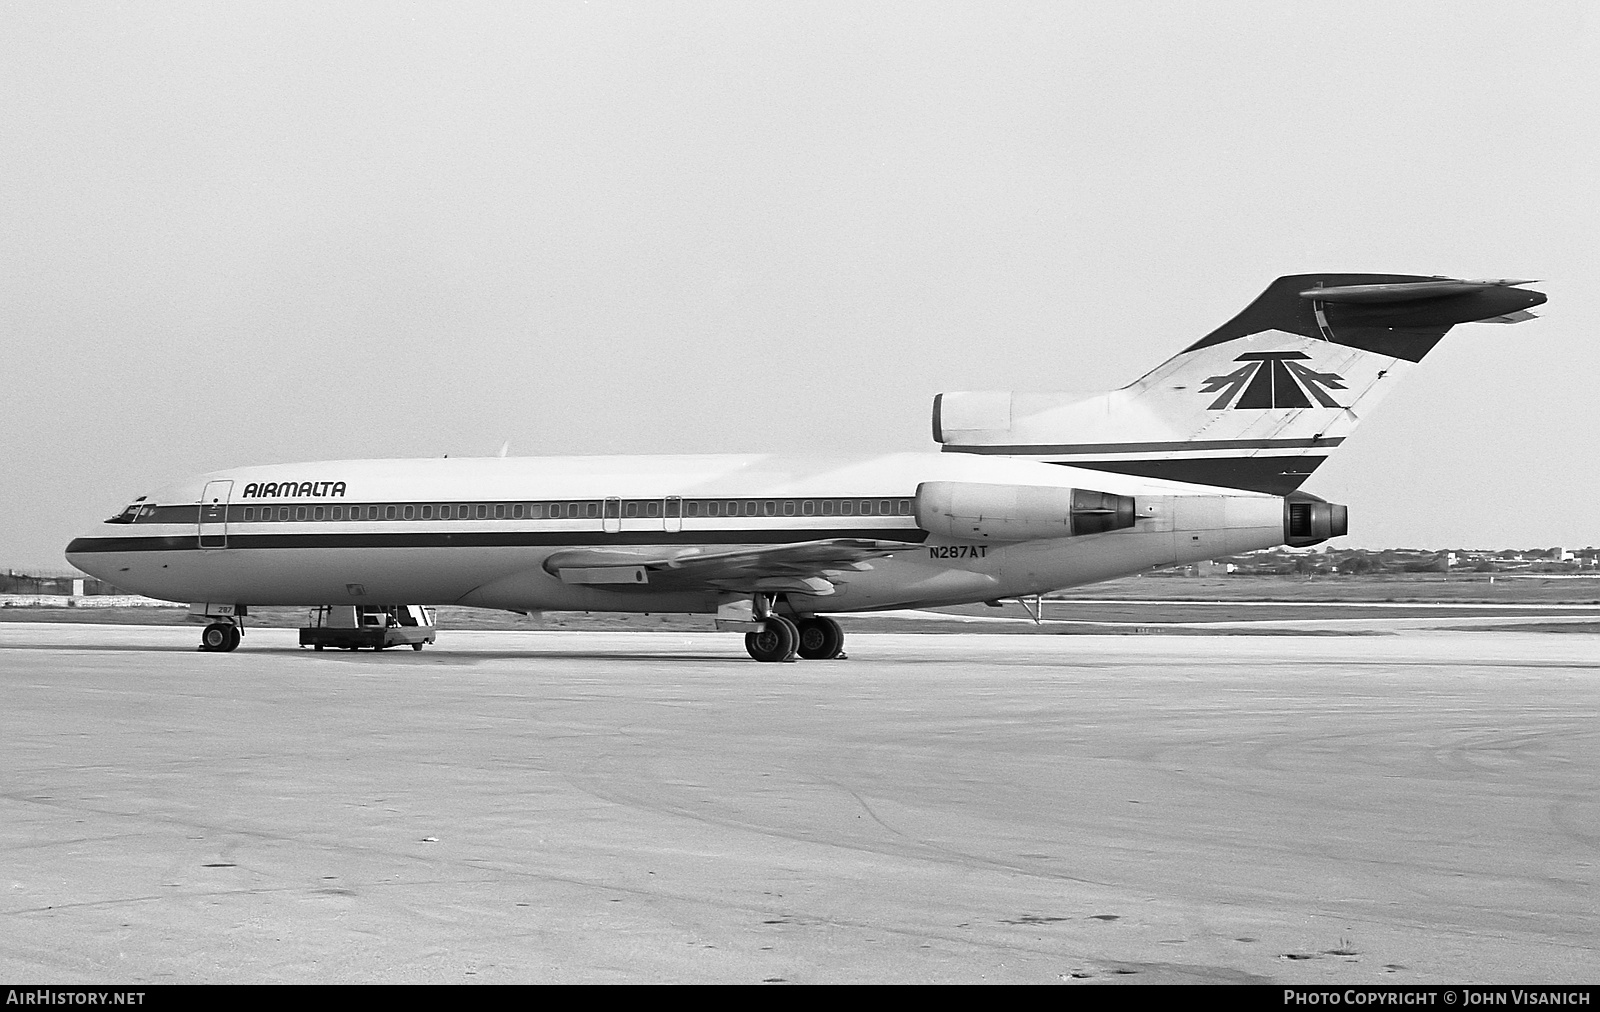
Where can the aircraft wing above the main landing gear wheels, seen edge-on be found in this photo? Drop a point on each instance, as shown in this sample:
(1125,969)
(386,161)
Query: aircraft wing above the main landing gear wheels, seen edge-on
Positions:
(772,569)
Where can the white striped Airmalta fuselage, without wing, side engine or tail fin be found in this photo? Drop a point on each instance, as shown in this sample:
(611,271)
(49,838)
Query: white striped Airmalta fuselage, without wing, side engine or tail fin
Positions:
(479,531)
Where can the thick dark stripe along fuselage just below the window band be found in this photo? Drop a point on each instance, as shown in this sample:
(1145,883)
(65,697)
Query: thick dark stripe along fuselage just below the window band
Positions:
(492,540)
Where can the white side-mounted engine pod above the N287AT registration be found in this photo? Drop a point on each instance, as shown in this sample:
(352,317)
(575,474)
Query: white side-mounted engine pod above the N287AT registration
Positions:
(970,512)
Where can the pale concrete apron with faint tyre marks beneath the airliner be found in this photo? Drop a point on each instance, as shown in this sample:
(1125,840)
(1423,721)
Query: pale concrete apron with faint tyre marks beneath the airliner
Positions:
(657,808)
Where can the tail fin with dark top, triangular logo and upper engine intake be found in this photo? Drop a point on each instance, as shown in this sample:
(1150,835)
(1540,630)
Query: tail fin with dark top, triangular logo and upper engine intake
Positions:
(1258,403)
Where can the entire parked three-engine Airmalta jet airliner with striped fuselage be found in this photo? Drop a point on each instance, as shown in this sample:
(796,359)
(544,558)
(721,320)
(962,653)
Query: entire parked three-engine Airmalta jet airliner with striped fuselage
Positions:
(1033,492)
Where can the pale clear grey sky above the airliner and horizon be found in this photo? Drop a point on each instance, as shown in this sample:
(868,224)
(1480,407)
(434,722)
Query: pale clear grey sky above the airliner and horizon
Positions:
(260,233)
